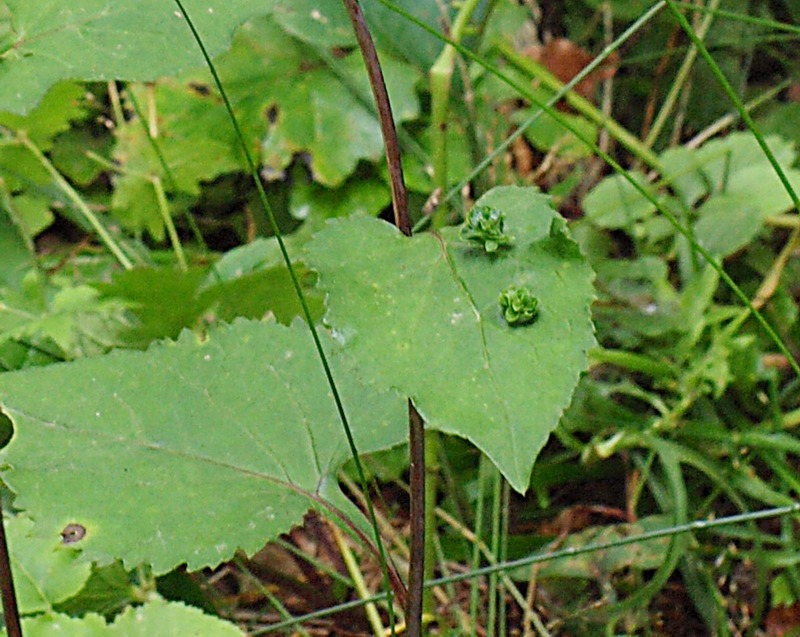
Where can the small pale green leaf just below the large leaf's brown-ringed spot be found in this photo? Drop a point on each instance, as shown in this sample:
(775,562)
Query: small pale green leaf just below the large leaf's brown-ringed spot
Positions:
(45,570)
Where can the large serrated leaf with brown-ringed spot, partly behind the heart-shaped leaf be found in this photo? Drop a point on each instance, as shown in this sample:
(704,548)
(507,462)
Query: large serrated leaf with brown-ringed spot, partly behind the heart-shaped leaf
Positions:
(190,450)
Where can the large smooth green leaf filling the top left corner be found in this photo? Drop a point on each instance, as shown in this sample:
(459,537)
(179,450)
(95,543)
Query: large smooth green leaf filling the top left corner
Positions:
(103,40)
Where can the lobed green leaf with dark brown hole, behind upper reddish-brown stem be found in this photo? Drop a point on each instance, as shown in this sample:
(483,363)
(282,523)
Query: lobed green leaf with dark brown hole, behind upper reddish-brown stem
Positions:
(288,98)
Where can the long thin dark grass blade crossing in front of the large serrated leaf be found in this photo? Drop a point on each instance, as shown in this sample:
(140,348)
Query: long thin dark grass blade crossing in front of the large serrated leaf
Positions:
(391,580)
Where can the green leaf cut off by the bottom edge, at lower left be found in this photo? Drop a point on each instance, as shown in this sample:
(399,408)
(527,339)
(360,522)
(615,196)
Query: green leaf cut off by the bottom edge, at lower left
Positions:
(157,617)
